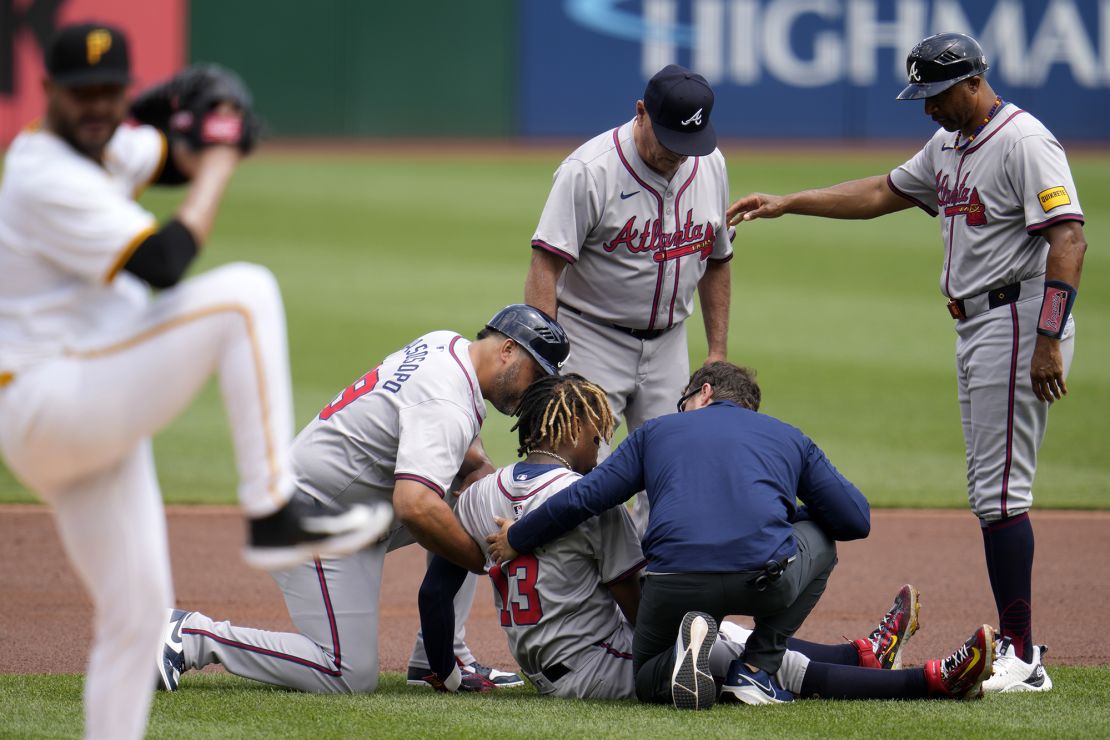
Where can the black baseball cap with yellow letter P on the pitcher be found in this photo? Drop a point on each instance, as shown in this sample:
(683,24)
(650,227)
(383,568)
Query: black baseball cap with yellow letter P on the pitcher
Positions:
(88,54)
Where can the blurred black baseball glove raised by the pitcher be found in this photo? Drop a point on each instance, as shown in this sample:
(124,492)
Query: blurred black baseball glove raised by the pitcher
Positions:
(190,107)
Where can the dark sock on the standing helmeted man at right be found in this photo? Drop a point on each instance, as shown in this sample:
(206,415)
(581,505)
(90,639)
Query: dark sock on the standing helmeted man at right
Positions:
(1011,563)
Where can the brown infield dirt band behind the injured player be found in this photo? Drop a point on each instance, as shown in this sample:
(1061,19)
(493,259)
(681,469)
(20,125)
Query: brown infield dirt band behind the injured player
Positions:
(45,622)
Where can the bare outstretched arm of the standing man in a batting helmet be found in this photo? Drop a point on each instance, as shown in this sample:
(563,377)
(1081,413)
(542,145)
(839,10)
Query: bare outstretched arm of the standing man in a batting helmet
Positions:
(856,199)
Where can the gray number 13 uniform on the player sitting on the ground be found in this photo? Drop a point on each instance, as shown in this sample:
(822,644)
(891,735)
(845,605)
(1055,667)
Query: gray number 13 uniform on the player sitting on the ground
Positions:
(563,626)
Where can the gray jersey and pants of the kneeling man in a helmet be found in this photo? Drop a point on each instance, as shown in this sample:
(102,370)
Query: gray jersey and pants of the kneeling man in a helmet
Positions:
(412,418)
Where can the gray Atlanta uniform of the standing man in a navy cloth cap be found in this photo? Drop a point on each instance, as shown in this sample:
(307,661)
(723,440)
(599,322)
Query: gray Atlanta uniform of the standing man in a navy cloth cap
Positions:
(637,246)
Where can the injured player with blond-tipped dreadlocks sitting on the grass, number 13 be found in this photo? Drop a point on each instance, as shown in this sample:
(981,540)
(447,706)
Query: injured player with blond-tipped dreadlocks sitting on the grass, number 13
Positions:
(570,607)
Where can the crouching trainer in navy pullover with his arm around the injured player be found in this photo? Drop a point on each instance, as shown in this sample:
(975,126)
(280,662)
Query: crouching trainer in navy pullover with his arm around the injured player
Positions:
(724,536)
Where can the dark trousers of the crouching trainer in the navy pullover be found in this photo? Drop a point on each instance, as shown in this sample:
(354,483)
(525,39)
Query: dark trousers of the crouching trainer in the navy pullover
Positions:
(779,612)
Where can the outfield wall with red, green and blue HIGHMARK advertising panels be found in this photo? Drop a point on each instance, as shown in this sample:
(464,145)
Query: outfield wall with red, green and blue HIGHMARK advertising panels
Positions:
(783,69)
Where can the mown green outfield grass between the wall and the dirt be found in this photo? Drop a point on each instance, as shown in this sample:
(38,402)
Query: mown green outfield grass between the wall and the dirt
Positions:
(843,320)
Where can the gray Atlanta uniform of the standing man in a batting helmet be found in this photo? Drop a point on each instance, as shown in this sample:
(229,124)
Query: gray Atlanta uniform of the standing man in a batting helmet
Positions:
(995,198)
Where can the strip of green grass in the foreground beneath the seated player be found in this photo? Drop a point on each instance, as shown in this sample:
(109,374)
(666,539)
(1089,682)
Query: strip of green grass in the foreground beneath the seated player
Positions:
(221,706)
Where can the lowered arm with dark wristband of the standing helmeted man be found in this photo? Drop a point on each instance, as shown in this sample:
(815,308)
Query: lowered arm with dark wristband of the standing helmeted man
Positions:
(1067,248)
